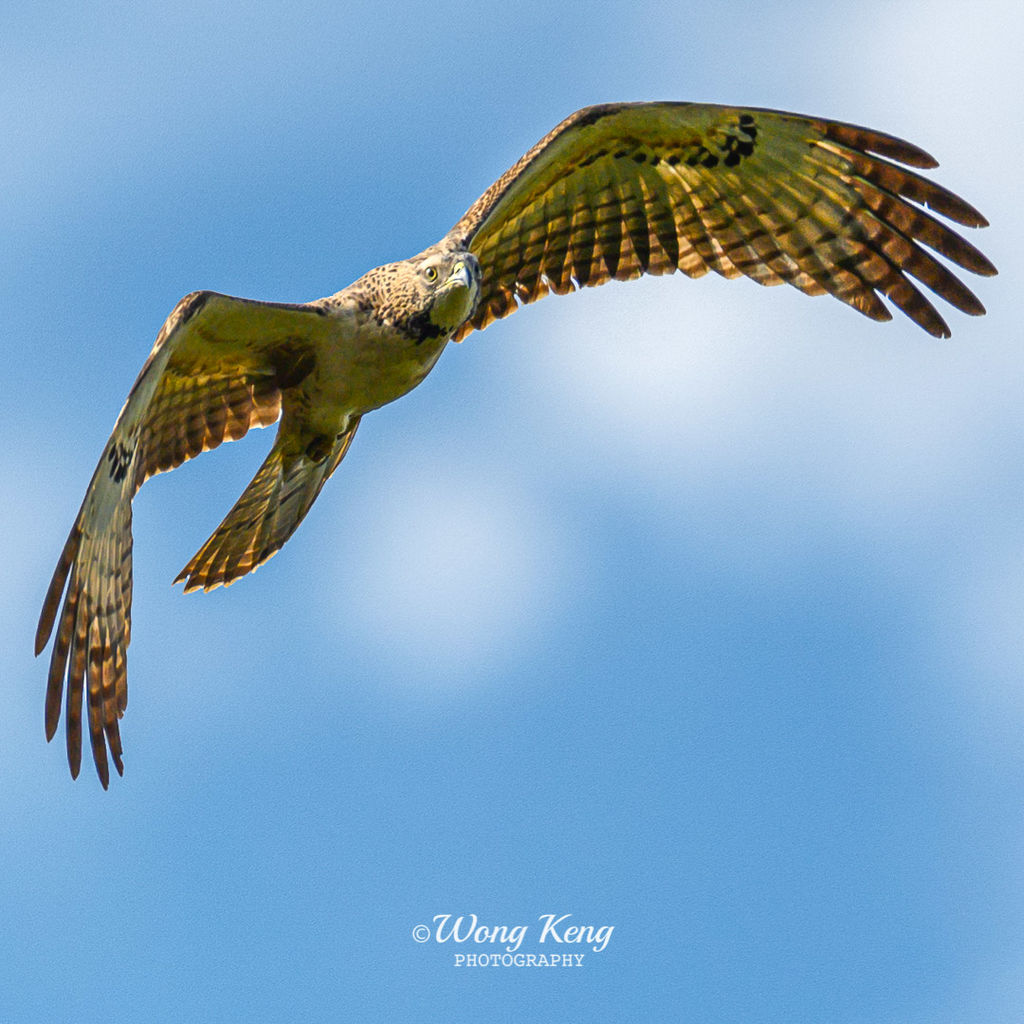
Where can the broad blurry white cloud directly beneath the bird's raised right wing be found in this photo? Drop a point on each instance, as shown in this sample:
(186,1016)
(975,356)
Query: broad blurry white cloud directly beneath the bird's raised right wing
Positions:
(676,385)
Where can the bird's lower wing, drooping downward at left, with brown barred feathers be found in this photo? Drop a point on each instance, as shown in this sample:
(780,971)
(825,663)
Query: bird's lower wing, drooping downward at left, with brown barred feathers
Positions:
(220,367)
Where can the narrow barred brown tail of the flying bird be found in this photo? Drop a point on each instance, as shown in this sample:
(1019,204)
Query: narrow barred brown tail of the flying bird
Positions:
(267,515)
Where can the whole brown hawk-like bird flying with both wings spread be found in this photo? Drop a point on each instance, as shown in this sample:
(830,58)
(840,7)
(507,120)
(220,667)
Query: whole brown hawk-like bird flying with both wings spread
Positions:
(614,192)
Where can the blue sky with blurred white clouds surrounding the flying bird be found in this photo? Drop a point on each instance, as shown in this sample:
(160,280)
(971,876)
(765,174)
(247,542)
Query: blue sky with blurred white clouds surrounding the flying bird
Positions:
(690,609)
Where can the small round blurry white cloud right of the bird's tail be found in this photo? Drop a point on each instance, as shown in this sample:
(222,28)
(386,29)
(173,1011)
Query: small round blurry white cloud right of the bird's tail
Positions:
(458,573)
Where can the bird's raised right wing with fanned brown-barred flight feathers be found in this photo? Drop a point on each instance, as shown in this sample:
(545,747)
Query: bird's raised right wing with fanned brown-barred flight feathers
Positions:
(629,189)
